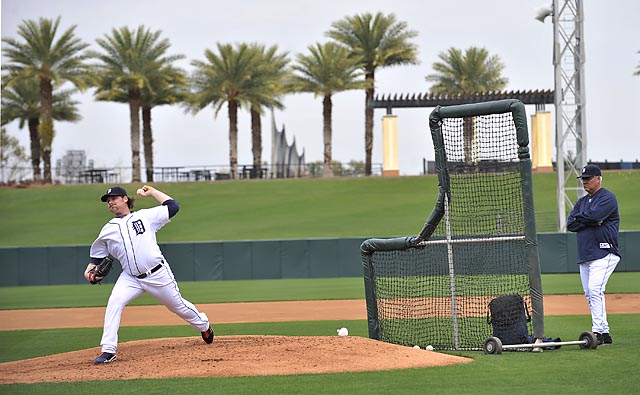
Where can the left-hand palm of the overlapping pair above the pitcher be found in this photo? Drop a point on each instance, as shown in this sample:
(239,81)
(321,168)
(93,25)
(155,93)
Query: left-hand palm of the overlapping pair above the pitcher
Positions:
(129,62)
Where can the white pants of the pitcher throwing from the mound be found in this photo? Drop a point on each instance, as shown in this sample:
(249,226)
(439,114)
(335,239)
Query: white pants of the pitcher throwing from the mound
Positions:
(162,286)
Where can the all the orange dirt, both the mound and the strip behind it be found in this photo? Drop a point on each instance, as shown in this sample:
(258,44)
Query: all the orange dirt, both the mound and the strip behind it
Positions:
(239,355)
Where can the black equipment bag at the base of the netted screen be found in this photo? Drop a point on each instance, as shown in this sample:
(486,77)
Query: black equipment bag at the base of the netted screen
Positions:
(509,317)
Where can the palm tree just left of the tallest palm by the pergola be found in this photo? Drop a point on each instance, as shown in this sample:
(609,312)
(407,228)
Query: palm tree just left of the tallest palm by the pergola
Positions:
(327,69)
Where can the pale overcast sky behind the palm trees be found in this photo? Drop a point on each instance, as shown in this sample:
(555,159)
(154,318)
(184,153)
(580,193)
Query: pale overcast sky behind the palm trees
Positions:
(507,28)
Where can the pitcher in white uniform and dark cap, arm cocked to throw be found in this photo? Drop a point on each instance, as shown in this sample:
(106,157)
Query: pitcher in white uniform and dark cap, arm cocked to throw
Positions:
(130,237)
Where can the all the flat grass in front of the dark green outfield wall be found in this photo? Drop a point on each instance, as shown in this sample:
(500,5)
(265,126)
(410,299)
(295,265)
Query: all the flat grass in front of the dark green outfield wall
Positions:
(563,369)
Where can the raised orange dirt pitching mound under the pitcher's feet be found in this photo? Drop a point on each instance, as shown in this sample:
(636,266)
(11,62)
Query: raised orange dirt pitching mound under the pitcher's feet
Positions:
(228,356)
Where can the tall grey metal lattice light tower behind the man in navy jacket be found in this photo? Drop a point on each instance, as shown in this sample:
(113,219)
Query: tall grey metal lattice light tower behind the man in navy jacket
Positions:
(571,136)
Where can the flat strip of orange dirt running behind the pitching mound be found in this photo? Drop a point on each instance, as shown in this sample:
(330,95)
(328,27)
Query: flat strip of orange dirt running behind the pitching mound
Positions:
(264,312)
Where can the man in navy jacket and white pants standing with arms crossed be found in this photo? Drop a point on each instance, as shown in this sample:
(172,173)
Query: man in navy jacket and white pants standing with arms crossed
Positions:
(596,221)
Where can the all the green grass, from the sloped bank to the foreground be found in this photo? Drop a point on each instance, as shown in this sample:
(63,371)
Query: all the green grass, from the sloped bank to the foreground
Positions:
(279,209)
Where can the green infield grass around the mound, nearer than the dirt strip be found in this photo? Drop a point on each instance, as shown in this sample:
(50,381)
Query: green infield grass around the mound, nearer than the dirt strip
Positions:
(570,370)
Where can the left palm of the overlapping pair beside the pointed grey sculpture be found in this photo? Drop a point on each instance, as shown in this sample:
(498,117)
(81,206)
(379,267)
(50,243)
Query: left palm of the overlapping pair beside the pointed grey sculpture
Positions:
(225,77)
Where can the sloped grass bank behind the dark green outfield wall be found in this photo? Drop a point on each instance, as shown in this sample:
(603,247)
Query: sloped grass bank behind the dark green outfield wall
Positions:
(267,209)
